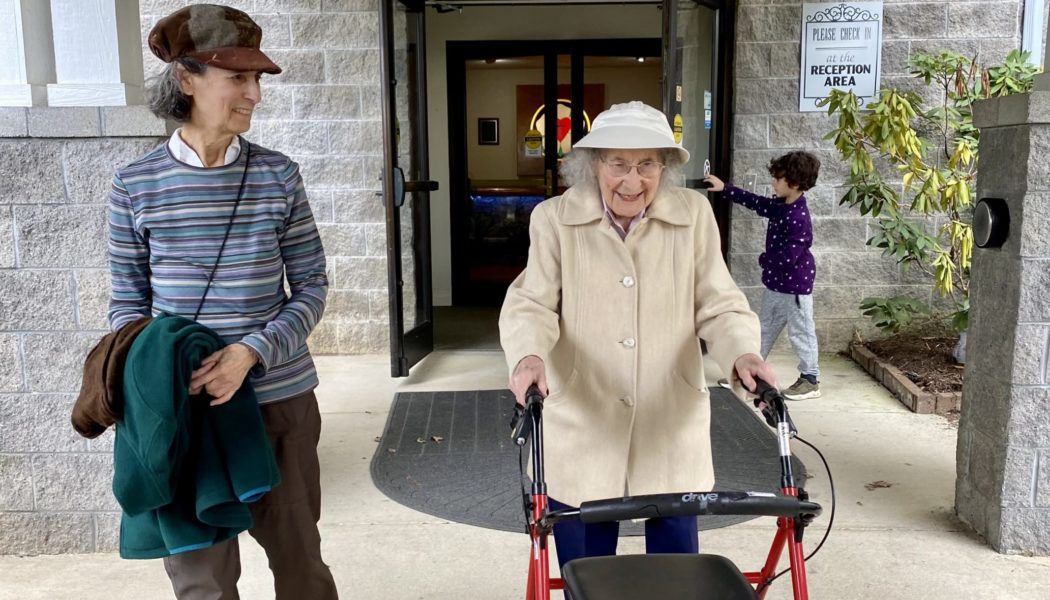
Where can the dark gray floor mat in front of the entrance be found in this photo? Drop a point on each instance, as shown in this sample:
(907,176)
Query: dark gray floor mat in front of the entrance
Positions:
(450,454)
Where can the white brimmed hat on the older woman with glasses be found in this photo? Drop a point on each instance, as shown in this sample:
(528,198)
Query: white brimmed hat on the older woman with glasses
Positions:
(632,126)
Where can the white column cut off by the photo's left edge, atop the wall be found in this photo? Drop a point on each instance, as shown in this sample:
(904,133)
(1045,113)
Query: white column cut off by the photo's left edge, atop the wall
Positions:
(27,63)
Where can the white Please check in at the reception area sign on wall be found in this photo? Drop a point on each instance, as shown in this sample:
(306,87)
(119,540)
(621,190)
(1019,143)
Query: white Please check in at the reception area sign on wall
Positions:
(842,50)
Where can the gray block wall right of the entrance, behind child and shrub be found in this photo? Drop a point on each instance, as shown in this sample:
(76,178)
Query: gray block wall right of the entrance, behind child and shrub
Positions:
(767,123)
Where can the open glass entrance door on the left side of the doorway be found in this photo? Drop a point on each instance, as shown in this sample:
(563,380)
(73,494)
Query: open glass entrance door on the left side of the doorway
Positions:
(407,184)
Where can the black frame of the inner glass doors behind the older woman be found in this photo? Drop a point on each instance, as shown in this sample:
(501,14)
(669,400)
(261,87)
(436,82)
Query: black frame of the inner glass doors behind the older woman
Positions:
(457,53)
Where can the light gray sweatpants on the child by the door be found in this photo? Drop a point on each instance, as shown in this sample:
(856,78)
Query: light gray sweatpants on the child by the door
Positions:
(796,313)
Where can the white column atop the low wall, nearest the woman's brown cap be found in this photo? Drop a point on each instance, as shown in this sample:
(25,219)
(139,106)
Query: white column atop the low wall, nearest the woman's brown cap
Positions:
(98,53)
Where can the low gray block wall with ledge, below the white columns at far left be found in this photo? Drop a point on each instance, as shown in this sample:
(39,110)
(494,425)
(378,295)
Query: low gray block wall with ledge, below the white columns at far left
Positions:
(54,291)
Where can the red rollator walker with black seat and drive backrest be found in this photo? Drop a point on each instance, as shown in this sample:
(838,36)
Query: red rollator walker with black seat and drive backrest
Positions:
(670,576)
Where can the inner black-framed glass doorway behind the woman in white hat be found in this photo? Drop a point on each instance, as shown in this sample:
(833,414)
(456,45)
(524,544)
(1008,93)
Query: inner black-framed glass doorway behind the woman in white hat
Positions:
(514,112)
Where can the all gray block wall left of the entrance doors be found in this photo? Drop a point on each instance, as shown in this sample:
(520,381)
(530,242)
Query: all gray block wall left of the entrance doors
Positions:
(324,112)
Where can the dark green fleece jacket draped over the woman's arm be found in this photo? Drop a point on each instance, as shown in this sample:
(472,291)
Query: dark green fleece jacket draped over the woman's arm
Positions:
(184,471)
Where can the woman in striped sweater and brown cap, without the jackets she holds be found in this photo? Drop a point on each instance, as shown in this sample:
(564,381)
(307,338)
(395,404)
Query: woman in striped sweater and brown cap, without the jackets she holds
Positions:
(209,227)
